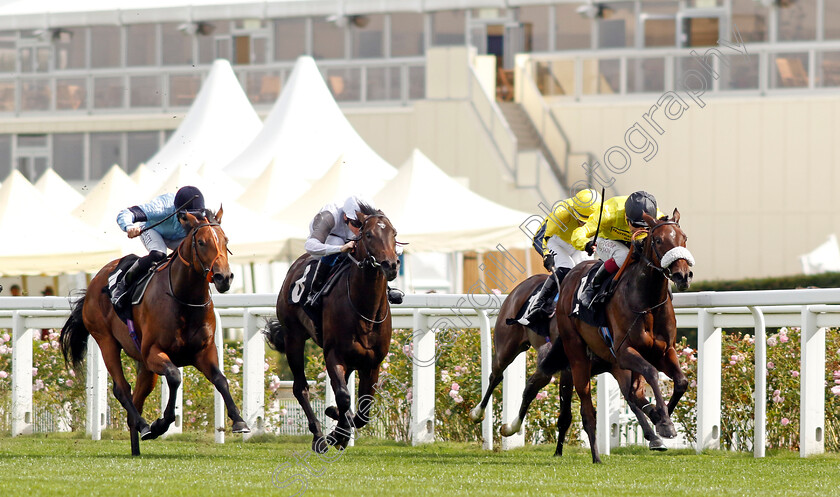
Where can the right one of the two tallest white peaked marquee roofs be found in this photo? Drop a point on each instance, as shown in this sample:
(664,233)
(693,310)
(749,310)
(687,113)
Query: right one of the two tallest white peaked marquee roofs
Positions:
(304,133)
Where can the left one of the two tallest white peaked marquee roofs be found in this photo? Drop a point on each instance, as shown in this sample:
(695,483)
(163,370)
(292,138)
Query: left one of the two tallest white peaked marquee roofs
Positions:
(220,123)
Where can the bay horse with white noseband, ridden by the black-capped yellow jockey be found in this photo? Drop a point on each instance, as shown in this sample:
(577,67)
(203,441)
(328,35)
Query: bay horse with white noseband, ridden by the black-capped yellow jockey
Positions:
(640,316)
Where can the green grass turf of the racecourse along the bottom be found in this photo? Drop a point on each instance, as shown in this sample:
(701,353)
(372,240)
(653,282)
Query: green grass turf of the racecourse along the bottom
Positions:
(192,465)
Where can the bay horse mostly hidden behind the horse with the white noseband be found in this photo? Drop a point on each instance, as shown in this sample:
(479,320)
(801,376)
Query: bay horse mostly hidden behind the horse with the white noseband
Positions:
(510,340)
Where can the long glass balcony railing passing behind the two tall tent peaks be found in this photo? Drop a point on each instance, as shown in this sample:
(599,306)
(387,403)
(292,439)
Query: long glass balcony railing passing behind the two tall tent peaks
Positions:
(162,89)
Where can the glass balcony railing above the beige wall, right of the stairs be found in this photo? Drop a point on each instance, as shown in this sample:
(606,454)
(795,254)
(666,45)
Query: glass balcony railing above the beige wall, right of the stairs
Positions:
(757,69)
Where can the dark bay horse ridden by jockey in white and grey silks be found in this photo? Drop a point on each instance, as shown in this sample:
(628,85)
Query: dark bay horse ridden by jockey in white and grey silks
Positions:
(355,333)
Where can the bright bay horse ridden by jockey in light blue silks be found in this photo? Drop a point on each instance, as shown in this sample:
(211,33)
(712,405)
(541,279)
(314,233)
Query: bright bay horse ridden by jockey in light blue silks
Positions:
(174,323)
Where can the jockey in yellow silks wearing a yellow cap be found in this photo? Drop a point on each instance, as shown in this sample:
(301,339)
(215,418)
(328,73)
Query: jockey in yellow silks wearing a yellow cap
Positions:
(554,243)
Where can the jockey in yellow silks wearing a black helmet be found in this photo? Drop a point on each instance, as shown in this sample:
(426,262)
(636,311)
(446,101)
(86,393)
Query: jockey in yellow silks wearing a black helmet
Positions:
(620,218)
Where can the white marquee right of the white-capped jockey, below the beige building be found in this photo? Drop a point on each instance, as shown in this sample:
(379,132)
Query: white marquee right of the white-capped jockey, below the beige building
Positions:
(436,213)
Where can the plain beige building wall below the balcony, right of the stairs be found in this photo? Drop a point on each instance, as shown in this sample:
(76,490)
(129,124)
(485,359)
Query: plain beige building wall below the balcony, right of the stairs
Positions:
(755,179)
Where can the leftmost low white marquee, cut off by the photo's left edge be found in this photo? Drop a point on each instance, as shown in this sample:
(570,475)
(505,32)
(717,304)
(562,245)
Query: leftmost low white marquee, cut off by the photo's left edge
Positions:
(39,239)
